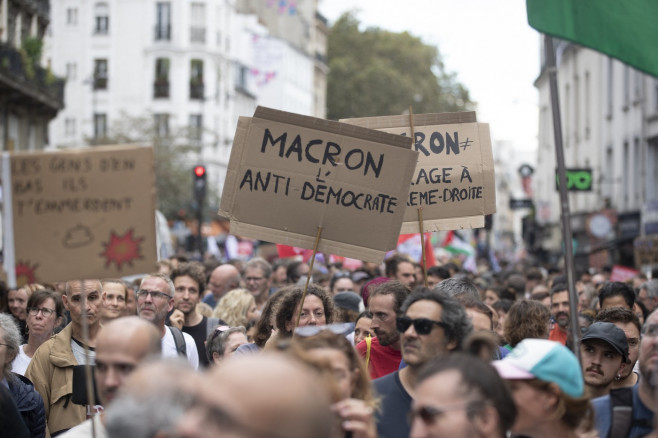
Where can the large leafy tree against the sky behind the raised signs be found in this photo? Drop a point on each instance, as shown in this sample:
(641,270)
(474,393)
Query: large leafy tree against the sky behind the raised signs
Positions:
(377,72)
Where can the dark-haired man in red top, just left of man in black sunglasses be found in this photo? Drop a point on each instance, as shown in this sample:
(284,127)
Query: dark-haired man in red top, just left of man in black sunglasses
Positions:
(382,353)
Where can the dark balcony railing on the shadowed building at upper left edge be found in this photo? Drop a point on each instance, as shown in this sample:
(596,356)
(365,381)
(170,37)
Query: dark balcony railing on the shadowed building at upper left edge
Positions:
(32,77)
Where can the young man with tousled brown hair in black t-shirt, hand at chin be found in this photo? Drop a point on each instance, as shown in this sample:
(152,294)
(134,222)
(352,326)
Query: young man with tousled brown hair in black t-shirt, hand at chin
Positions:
(189,282)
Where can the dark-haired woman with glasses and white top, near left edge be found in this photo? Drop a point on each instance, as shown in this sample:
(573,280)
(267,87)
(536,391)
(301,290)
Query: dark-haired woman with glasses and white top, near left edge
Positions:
(44,312)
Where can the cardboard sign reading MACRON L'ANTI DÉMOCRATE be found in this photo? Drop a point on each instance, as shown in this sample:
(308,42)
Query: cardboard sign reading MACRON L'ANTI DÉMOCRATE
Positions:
(290,174)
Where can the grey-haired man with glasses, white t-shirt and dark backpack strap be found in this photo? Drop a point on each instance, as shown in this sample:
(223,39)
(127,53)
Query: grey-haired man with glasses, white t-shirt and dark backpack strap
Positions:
(155,299)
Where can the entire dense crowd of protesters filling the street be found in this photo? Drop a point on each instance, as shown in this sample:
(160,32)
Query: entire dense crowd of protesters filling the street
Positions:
(254,349)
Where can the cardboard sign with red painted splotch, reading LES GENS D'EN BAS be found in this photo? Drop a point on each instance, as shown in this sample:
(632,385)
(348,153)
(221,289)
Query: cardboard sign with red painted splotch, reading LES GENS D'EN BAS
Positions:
(76,214)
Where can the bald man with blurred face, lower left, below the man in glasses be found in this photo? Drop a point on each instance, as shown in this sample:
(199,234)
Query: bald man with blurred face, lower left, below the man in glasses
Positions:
(121,345)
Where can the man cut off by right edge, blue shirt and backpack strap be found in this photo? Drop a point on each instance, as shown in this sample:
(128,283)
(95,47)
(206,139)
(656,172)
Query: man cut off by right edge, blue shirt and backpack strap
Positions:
(640,398)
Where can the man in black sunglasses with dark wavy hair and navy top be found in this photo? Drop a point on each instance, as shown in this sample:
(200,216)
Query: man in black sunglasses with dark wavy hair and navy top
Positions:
(432,324)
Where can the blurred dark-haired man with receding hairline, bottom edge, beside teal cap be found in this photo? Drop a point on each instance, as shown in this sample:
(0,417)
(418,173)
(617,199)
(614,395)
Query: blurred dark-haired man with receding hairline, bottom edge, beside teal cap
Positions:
(461,396)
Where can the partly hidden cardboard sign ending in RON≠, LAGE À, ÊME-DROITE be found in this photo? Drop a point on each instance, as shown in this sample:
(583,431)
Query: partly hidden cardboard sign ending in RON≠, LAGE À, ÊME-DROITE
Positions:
(454,179)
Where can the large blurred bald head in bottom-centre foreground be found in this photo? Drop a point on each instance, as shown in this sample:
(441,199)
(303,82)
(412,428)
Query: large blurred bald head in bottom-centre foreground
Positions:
(291,401)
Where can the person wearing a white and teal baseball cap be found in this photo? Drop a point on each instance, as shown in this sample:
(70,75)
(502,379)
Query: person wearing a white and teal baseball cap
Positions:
(548,389)
